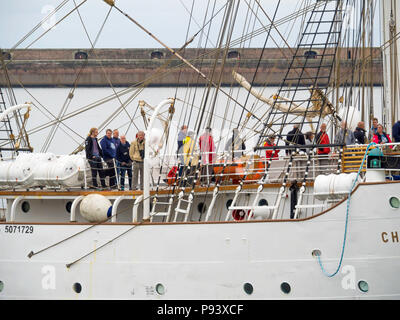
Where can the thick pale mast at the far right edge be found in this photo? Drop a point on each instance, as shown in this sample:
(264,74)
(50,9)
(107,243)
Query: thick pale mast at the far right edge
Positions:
(390,14)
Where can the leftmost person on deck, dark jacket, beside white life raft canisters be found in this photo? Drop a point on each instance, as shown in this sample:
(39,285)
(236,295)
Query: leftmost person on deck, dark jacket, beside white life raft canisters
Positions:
(94,155)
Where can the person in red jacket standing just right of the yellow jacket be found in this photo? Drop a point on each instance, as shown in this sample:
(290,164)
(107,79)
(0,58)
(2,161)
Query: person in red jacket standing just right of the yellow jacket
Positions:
(207,152)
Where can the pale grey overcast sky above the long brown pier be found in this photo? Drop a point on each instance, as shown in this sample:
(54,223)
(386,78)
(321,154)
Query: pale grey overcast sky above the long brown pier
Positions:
(167,19)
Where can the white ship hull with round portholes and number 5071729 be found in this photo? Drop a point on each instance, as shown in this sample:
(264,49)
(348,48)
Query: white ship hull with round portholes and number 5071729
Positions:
(211,260)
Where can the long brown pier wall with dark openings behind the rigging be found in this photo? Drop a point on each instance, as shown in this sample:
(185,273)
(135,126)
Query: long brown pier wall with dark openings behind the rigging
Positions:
(127,67)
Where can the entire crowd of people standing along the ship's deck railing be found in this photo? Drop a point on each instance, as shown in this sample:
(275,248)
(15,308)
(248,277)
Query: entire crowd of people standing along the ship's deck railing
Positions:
(122,158)
